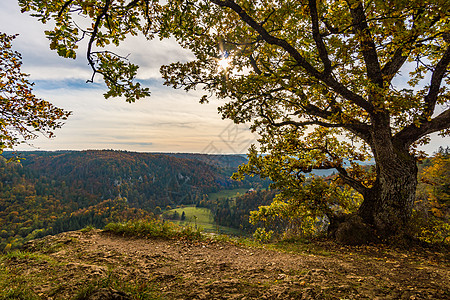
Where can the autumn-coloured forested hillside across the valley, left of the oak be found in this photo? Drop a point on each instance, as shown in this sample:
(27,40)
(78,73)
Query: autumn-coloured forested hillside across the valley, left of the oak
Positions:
(50,192)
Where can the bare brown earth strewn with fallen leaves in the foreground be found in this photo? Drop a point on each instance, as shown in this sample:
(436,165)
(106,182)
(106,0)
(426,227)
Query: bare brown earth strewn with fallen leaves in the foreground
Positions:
(212,269)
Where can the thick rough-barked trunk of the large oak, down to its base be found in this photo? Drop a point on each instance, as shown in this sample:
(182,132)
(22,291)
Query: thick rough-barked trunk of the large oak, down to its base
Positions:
(387,205)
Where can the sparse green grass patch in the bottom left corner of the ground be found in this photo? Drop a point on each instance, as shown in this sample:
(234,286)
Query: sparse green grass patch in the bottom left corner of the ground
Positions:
(22,273)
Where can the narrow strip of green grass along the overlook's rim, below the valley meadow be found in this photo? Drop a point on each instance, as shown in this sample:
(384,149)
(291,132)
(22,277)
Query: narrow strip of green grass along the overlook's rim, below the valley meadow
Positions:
(154,229)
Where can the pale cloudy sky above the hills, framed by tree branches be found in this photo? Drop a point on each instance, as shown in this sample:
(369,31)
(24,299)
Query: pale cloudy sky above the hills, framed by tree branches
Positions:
(168,121)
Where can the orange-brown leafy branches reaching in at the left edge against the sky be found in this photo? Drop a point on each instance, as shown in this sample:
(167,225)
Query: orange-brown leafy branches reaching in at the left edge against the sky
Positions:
(22,114)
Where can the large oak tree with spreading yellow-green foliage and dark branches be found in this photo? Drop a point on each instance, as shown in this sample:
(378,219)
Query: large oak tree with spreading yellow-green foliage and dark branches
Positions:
(326,84)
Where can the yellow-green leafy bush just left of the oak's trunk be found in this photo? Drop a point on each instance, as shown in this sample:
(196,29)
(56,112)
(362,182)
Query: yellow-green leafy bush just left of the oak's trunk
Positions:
(305,211)
